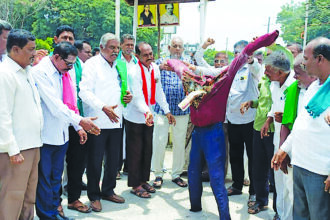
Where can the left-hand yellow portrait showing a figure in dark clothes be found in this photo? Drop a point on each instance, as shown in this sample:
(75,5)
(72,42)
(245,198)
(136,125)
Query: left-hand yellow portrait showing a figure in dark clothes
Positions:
(147,15)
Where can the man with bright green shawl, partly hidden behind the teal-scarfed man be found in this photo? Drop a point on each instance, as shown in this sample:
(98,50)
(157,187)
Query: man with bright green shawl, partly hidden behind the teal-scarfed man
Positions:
(293,102)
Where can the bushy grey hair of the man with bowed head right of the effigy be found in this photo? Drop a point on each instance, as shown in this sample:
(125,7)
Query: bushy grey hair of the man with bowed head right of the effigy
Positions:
(278,60)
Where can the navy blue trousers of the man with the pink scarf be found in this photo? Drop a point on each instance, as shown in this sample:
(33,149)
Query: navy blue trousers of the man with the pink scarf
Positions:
(50,169)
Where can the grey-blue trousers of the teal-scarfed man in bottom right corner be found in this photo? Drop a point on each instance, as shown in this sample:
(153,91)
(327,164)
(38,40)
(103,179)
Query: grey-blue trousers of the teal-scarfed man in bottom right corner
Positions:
(310,200)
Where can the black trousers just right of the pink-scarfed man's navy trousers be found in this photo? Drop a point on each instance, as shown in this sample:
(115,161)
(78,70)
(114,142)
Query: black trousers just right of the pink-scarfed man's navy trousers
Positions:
(75,159)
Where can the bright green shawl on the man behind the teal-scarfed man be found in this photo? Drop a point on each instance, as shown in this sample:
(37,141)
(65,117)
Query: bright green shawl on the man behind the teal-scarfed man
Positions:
(291,105)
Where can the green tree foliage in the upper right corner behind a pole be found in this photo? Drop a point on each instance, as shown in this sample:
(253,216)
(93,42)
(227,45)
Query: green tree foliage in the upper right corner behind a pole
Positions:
(292,20)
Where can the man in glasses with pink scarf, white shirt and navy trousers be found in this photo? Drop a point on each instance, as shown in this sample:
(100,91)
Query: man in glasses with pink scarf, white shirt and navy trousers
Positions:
(58,102)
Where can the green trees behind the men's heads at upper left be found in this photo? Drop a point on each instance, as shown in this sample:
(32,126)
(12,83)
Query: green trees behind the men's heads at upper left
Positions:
(89,18)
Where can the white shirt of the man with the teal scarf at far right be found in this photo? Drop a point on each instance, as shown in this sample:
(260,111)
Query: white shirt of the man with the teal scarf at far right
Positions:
(309,140)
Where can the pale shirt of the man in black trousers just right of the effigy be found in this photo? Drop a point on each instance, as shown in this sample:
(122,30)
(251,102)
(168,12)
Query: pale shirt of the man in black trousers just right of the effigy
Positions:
(243,89)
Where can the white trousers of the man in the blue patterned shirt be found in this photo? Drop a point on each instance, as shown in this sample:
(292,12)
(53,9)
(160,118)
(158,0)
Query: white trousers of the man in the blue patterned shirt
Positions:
(160,138)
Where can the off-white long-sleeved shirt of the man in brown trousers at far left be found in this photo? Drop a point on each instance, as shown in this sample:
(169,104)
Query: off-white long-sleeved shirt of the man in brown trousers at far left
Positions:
(21,118)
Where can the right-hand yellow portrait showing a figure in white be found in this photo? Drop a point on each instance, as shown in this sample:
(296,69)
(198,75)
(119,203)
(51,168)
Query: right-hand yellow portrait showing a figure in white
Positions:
(169,14)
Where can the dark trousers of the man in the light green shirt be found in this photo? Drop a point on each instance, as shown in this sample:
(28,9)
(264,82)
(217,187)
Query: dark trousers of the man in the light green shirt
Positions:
(263,151)
